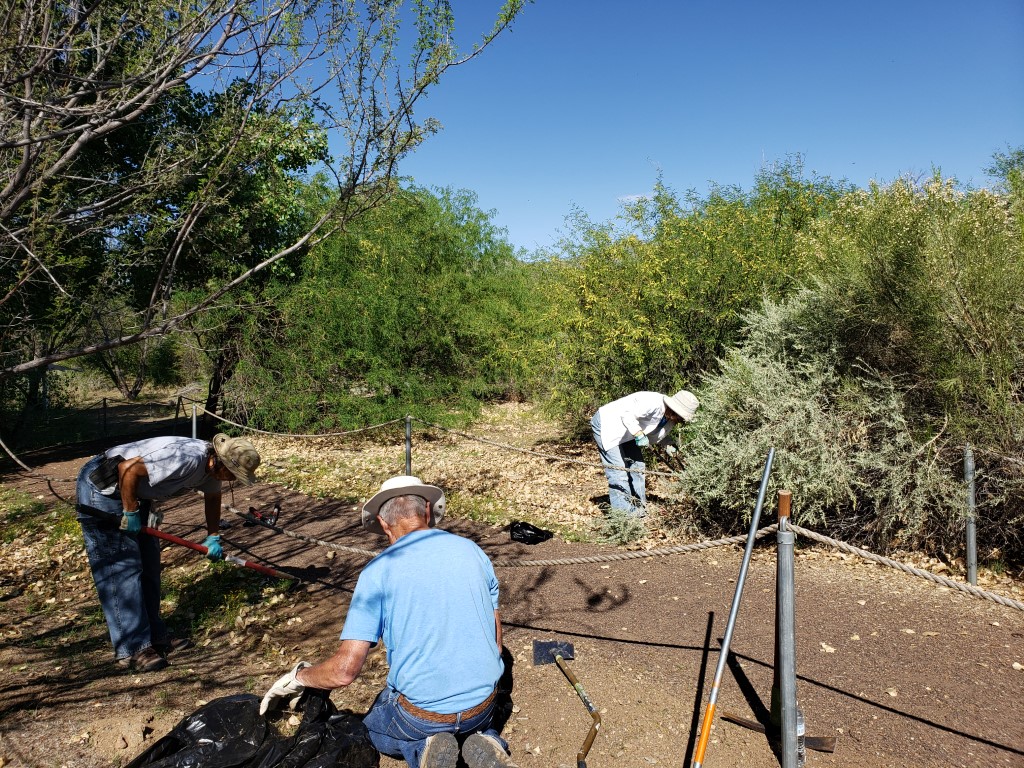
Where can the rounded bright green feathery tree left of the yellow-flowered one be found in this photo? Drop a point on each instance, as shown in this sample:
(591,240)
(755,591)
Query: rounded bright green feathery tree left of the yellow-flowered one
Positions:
(420,307)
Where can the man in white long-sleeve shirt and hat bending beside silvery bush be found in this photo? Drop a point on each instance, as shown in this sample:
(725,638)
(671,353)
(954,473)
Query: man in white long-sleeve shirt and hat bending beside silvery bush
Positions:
(625,426)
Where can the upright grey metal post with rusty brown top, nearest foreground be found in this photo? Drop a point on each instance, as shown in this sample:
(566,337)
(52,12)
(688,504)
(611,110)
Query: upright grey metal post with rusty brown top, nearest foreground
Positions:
(784,699)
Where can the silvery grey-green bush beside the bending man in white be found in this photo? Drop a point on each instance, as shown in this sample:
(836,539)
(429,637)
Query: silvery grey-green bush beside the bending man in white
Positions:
(845,443)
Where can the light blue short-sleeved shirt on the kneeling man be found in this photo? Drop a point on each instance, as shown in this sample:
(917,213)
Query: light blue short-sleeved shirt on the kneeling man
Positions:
(432,596)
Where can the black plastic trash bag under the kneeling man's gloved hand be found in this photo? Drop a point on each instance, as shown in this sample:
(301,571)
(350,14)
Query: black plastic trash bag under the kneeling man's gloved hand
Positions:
(230,733)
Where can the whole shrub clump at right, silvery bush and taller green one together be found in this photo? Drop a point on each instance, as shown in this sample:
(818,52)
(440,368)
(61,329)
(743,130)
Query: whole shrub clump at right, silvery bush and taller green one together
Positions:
(907,349)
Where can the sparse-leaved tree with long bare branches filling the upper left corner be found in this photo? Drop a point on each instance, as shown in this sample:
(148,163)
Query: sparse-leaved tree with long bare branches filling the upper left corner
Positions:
(147,151)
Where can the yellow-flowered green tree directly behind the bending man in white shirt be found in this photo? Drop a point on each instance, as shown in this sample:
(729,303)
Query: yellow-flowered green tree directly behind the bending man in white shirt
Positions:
(655,308)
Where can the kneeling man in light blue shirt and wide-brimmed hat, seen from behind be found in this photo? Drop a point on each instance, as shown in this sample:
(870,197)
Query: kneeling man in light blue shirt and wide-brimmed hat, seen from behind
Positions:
(432,598)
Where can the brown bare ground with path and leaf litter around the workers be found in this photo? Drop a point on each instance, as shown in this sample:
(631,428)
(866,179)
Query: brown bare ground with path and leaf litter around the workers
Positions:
(902,672)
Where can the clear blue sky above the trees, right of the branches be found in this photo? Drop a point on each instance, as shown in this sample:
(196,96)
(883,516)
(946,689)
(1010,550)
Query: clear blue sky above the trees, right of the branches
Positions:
(584,103)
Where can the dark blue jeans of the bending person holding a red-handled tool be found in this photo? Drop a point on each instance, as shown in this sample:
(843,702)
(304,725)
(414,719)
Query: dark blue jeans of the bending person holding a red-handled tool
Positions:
(125,569)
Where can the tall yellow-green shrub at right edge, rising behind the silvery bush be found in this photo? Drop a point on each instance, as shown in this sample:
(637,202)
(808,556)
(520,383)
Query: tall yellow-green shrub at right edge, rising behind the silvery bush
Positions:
(925,285)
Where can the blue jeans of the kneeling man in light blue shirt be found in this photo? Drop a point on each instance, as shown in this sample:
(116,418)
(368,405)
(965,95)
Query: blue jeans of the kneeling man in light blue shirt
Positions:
(398,734)
